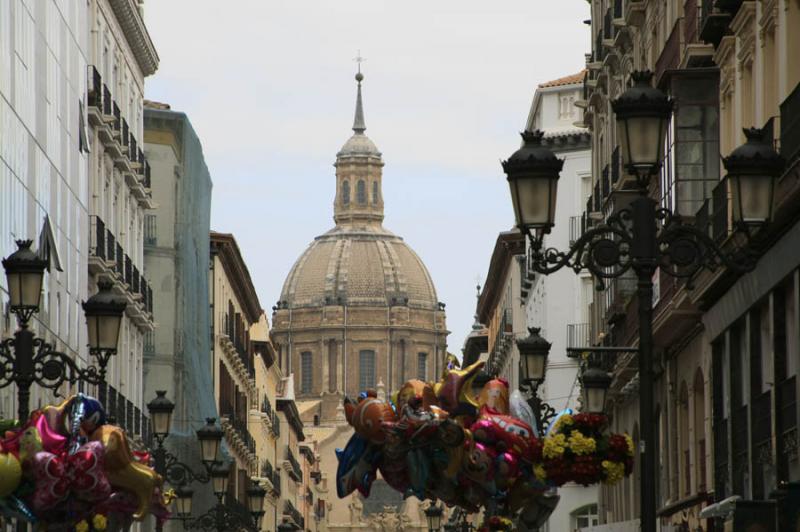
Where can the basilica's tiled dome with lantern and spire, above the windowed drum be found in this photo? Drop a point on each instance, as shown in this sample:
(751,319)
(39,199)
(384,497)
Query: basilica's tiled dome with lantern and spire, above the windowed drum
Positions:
(358,262)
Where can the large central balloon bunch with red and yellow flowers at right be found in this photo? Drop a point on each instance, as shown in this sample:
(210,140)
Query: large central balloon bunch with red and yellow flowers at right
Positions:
(439,441)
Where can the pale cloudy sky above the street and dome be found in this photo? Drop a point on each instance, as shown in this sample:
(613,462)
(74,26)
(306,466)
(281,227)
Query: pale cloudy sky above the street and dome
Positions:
(268,86)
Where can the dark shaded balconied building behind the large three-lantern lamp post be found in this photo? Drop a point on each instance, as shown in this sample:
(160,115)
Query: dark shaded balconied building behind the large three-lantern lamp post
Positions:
(726,383)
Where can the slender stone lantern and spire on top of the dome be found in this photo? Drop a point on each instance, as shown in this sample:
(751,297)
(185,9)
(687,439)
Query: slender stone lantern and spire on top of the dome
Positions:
(359,170)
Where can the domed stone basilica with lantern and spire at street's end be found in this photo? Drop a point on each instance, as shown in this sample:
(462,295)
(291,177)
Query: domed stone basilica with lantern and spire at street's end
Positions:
(358,310)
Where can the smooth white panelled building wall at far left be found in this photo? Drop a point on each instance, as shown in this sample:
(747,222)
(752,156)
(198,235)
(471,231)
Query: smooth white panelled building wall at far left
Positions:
(44,160)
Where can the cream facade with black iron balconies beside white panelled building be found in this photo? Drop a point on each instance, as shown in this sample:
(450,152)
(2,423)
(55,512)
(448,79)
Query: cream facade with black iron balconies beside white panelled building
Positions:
(121,55)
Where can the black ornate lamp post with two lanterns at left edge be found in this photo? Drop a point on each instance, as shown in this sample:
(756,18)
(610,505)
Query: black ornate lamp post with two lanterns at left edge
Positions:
(26,360)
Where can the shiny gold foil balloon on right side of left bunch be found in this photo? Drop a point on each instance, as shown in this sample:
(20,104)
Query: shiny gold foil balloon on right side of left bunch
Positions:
(125,472)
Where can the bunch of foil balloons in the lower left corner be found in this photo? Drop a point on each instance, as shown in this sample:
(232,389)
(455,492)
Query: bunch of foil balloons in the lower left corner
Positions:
(67,469)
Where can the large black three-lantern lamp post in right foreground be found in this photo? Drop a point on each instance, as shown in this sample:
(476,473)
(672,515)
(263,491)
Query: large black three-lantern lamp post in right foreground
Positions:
(643,238)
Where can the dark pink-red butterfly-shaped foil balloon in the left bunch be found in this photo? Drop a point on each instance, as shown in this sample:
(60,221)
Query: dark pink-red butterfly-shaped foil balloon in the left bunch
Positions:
(58,476)
